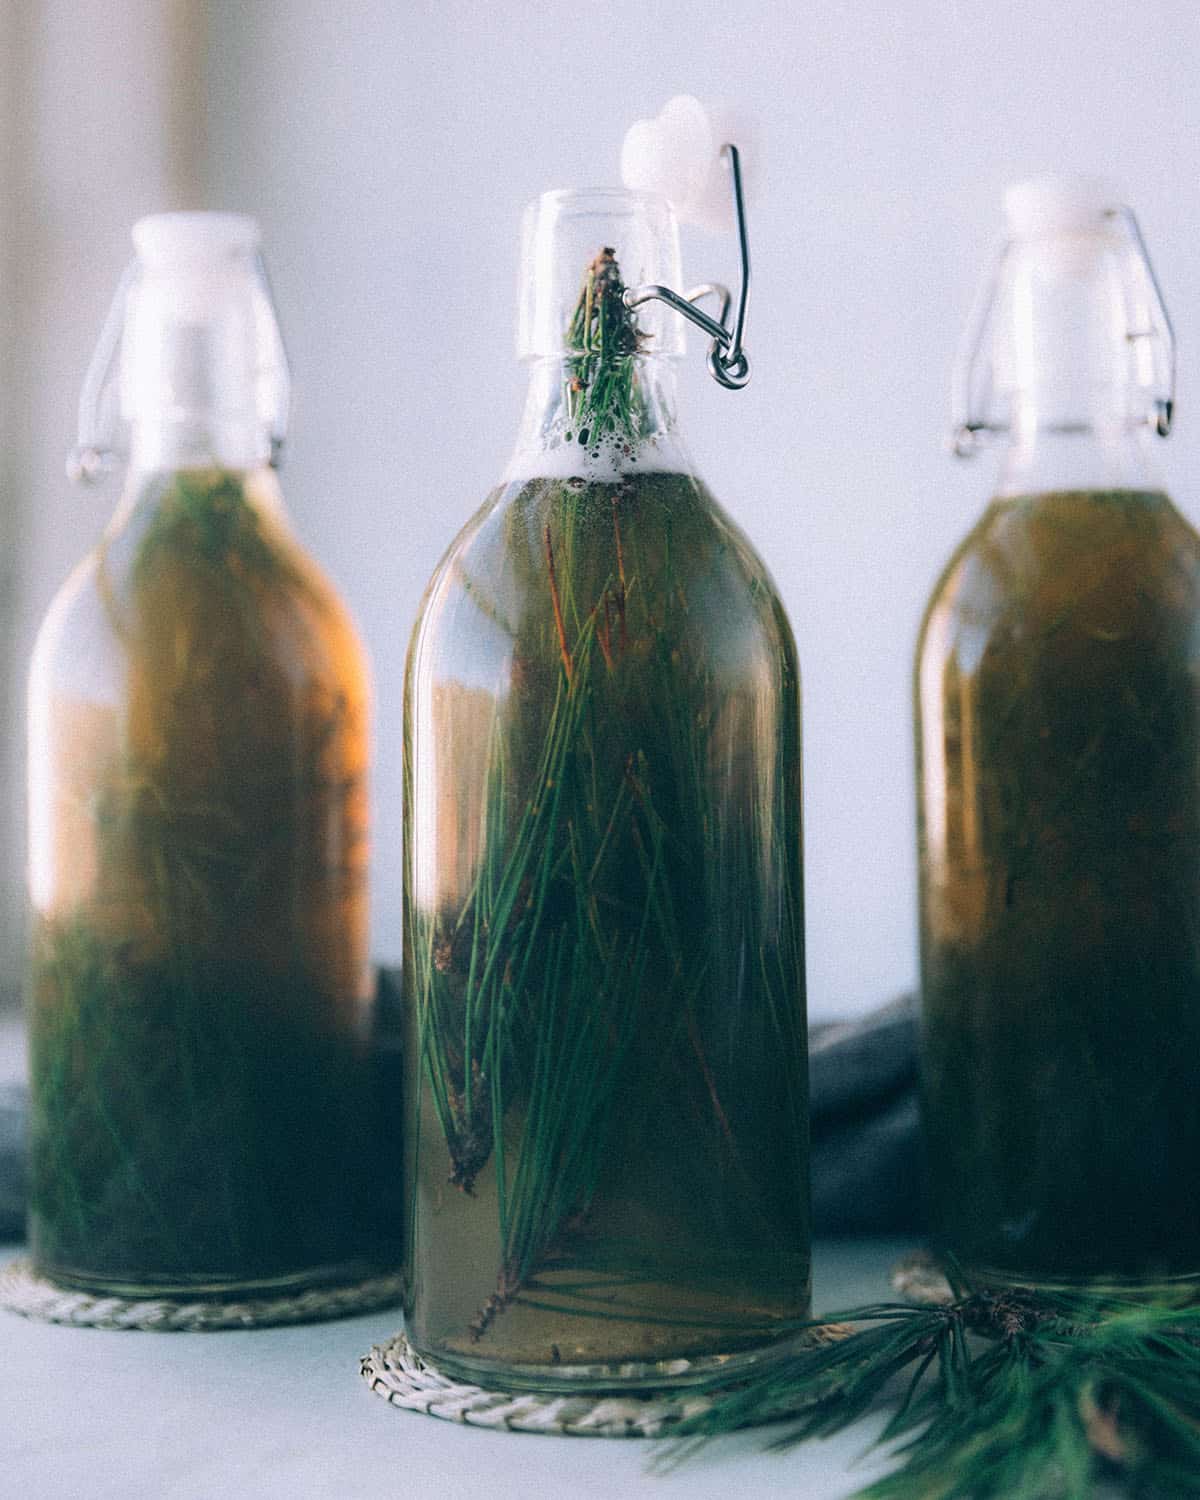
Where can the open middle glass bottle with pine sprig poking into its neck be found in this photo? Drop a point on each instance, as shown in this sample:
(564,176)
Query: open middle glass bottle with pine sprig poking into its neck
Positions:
(604,935)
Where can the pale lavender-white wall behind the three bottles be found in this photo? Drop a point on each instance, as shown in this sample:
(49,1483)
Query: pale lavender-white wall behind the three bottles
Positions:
(389,151)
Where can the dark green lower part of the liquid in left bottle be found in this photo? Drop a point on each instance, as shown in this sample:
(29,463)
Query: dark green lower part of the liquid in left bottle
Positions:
(194,1127)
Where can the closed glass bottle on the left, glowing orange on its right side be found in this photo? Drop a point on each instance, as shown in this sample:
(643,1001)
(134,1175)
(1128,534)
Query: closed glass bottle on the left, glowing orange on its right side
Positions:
(199,829)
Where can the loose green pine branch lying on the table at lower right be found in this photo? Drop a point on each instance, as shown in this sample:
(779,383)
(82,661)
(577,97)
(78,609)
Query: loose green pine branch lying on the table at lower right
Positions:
(1004,1396)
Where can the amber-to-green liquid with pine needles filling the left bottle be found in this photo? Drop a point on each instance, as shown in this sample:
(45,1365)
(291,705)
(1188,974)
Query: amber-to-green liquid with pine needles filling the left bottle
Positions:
(199,1060)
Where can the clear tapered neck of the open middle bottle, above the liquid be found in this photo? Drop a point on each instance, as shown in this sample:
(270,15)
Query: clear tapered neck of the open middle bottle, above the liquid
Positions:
(598,418)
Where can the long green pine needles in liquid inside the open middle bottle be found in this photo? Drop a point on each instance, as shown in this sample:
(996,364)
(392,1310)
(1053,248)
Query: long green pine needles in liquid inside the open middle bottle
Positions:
(568,1004)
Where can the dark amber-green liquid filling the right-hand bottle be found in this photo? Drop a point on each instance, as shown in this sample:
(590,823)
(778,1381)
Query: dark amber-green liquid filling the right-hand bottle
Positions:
(1060,722)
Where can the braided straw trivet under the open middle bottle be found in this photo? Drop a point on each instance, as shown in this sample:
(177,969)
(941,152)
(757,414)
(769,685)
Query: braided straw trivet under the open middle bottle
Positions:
(403,1378)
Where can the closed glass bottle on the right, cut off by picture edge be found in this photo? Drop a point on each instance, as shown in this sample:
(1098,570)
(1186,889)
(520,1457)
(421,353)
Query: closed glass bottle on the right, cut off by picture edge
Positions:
(1058,724)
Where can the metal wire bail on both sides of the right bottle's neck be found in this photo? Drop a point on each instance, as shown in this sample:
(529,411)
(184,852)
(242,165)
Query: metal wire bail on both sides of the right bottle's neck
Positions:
(971,422)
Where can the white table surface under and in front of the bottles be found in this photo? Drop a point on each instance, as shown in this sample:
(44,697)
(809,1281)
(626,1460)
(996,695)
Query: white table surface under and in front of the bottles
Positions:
(283,1415)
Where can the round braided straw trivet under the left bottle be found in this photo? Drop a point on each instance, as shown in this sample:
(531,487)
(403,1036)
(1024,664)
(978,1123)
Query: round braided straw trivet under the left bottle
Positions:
(34,1297)
